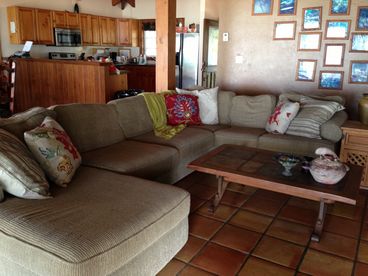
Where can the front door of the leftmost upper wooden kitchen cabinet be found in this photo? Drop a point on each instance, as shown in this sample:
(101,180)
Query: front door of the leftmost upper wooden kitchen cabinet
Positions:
(27,26)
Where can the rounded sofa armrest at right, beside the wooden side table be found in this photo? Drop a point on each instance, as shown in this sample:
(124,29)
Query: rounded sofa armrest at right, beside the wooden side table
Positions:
(331,130)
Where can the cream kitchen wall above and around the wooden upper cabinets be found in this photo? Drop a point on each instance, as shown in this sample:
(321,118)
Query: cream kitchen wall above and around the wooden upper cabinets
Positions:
(145,9)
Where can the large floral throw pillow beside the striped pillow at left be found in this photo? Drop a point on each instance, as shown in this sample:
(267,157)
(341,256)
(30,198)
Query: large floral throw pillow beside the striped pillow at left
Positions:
(53,149)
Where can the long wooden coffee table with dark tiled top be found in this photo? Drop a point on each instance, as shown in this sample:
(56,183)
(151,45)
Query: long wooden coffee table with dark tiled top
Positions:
(257,168)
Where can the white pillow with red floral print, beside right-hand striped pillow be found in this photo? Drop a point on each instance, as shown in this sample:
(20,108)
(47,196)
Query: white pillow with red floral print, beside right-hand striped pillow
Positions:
(282,116)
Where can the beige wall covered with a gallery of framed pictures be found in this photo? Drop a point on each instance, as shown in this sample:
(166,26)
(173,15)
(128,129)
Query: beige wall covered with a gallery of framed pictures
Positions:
(305,46)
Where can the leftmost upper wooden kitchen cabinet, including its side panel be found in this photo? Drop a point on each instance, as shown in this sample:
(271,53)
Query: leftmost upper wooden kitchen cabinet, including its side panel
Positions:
(21,24)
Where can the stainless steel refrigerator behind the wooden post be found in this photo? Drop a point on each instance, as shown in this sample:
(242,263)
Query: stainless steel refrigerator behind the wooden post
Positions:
(187,59)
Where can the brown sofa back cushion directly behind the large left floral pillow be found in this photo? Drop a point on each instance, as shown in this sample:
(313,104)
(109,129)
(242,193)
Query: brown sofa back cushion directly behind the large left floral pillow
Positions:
(90,126)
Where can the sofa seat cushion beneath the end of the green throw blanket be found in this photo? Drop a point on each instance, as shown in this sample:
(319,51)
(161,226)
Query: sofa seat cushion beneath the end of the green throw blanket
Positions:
(190,143)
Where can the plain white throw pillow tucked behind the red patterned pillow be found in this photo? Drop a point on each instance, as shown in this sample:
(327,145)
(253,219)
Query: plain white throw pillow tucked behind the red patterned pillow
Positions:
(207,101)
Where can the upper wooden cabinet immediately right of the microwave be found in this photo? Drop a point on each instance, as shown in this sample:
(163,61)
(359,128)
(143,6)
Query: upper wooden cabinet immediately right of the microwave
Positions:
(90,29)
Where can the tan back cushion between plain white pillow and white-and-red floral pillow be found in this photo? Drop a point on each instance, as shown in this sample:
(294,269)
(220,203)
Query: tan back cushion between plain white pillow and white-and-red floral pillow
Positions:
(252,111)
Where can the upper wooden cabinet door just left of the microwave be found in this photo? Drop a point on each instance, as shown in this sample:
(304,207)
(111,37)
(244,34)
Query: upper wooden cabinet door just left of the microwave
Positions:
(45,33)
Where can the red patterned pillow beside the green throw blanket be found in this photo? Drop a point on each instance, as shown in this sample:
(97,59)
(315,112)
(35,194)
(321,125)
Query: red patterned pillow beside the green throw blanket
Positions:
(182,109)
